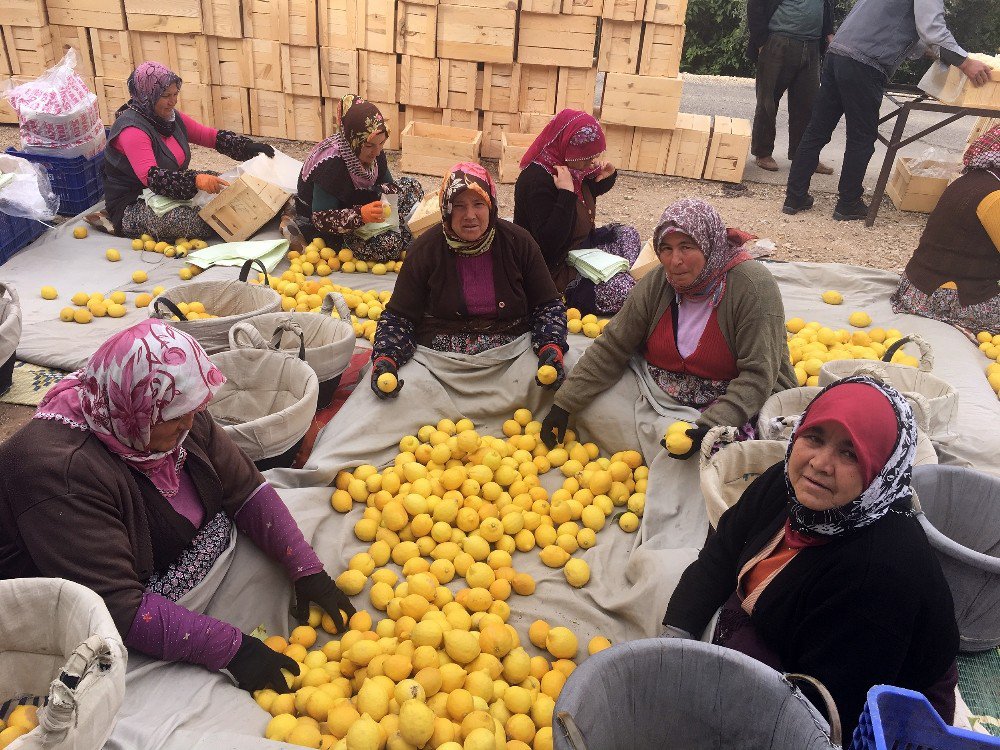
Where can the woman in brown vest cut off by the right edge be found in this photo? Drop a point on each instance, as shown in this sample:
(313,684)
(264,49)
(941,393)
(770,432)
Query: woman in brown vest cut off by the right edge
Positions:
(954,273)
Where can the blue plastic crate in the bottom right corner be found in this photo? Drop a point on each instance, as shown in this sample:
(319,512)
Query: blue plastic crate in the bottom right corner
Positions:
(898,719)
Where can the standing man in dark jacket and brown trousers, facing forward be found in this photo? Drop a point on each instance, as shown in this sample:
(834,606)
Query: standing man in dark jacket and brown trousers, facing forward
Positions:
(787,39)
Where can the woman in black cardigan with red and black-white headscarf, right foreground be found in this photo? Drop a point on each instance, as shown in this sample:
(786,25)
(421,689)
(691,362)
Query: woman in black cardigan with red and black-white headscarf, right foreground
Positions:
(822,568)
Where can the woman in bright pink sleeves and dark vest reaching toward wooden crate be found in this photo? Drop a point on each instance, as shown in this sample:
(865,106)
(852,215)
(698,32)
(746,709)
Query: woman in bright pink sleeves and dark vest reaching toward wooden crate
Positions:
(149,155)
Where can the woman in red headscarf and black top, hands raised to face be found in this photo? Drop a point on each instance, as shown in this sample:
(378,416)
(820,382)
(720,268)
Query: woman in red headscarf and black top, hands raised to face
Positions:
(555,199)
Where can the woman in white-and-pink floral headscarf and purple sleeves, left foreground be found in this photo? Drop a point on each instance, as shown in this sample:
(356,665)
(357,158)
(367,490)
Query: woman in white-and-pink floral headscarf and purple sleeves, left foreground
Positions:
(123,483)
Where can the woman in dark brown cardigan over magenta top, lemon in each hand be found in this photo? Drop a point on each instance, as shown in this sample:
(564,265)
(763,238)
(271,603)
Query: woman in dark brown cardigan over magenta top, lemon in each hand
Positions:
(477,284)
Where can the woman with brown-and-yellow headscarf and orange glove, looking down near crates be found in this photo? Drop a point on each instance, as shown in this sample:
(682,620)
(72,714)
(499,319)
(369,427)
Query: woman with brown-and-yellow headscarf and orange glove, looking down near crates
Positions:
(341,186)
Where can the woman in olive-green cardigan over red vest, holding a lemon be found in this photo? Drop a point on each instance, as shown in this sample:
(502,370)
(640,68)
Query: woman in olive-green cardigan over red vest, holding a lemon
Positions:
(709,327)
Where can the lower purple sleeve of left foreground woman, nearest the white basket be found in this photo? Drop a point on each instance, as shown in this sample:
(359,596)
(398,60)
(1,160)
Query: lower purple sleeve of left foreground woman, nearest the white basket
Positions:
(170,632)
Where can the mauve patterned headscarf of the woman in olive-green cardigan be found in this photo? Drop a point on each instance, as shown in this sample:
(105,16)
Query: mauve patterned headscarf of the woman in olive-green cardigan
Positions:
(722,250)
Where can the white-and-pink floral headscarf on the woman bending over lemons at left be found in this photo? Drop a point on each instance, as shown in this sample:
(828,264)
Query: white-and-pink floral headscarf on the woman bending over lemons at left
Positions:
(147,374)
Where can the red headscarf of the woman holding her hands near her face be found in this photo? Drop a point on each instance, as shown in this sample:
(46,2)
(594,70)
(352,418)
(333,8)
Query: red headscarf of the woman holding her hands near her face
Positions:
(569,136)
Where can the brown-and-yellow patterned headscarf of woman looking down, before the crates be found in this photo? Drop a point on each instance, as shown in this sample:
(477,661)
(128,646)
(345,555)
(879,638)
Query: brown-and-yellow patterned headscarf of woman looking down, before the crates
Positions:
(357,121)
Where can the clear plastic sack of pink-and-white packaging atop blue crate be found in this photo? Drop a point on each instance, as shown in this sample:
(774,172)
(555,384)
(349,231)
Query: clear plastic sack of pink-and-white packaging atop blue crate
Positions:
(58,114)
